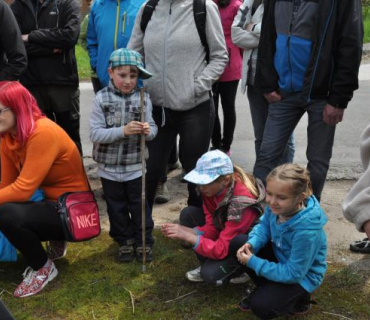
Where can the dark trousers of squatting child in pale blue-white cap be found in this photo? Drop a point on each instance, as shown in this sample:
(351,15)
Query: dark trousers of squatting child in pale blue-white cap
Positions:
(212,271)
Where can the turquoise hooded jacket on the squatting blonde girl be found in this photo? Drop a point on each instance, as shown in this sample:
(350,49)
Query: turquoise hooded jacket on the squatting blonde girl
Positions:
(299,245)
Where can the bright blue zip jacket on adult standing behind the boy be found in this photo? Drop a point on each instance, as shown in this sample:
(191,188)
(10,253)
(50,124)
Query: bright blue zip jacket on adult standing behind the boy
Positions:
(110,27)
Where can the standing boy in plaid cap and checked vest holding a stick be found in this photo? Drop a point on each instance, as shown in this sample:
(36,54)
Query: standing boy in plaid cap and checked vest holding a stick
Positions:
(115,130)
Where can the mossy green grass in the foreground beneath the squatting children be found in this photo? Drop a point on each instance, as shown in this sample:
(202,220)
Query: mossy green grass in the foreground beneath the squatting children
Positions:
(92,285)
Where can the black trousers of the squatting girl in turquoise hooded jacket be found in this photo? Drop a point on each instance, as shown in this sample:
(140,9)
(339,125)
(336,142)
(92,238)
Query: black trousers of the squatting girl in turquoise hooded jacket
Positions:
(271,299)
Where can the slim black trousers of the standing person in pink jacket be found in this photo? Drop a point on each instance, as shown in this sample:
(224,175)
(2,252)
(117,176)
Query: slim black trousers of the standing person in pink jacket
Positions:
(227,92)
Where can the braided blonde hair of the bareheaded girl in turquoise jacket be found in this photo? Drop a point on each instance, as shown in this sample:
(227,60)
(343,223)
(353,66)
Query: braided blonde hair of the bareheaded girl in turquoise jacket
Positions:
(298,176)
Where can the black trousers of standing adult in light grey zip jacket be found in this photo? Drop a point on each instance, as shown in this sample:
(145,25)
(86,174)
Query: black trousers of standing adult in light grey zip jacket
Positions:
(194,127)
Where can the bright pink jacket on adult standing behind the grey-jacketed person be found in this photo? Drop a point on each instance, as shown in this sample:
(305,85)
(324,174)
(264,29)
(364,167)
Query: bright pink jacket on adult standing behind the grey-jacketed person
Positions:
(233,69)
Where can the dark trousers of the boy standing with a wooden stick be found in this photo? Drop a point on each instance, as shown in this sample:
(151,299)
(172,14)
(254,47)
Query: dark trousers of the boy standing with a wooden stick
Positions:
(124,210)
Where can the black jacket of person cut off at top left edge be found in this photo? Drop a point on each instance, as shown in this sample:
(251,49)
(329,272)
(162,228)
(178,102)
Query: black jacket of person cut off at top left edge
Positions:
(13,58)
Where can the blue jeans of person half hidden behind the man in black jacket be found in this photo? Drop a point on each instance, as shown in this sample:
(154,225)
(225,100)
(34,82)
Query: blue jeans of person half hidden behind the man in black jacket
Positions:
(259,107)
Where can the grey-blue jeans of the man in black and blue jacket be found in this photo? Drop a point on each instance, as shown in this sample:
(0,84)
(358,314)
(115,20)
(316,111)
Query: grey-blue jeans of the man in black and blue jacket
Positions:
(282,119)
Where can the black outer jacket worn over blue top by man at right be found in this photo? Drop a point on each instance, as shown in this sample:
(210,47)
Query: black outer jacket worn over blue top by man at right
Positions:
(332,72)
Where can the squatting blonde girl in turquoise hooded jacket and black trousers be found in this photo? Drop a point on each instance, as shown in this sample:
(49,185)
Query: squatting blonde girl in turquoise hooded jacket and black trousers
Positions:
(285,254)
